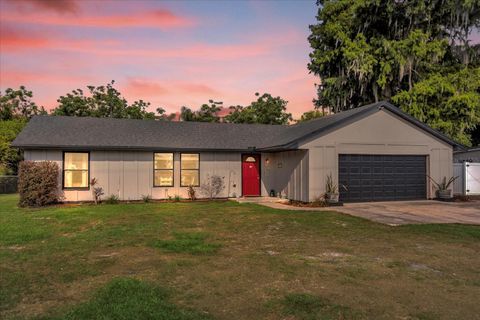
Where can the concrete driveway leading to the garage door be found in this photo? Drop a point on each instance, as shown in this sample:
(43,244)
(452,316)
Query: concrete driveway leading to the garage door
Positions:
(415,212)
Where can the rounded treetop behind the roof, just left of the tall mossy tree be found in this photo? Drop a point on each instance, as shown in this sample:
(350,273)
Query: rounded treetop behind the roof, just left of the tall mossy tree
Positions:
(265,110)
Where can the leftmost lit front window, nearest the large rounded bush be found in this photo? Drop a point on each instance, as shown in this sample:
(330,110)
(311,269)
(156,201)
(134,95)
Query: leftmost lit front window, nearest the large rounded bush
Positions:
(75,170)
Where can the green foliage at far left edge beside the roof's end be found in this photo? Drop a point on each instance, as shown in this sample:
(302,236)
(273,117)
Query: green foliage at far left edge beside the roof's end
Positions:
(10,157)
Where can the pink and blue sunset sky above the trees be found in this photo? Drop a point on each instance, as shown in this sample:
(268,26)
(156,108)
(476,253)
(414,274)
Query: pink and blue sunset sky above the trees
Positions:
(168,53)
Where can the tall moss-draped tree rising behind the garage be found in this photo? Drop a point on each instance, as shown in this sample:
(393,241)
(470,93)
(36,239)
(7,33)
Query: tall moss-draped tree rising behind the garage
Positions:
(369,50)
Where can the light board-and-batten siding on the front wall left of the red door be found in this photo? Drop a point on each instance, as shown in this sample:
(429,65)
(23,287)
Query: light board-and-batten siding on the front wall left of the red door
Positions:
(129,174)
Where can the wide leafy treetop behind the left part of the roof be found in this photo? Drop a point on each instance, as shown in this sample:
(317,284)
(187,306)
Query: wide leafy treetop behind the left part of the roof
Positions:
(103,102)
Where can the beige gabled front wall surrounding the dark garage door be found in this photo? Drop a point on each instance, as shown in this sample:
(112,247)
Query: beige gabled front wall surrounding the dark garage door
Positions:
(379,133)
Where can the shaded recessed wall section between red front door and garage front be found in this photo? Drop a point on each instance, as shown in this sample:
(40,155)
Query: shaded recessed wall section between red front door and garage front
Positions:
(286,172)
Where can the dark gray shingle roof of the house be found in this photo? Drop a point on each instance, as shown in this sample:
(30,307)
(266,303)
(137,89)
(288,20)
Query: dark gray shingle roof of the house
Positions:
(126,134)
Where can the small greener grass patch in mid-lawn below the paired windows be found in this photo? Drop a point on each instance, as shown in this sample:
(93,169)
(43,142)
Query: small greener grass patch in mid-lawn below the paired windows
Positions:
(188,242)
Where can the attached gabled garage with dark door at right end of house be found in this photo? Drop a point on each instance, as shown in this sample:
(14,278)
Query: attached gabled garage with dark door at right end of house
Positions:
(379,153)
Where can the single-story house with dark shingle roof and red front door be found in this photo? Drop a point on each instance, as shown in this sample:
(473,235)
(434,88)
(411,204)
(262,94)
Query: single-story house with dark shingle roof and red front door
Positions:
(377,152)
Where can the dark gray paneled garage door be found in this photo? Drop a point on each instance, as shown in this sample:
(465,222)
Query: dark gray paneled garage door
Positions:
(382,177)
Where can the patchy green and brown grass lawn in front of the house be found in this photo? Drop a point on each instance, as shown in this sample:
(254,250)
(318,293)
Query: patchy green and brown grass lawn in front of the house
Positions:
(224,260)
